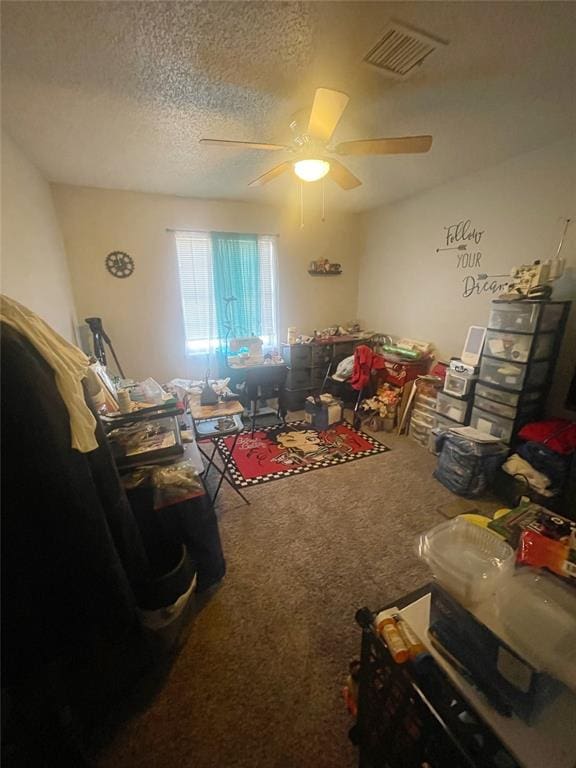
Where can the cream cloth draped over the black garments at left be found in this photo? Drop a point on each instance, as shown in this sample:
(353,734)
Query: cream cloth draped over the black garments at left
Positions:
(68,363)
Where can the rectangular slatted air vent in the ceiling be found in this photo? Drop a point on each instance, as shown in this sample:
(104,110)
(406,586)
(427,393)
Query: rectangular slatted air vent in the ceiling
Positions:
(402,49)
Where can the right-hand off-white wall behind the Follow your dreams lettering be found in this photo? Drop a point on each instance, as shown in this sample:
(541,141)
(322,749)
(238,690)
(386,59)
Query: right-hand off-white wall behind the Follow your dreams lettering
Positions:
(409,288)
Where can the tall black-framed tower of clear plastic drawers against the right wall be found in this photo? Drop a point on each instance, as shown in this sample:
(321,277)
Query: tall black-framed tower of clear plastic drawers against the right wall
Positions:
(522,344)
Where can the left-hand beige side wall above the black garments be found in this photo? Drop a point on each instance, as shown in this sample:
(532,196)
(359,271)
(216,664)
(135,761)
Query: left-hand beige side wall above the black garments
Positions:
(34,267)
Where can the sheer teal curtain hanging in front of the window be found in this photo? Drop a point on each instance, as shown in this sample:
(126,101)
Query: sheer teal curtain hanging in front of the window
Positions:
(236,279)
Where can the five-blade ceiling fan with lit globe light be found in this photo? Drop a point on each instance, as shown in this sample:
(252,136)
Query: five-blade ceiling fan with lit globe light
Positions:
(310,146)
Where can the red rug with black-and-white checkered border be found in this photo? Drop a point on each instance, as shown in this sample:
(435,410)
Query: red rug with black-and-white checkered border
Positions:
(282,451)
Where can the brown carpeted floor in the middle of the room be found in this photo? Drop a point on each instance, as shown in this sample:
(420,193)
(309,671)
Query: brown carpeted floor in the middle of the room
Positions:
(258,681)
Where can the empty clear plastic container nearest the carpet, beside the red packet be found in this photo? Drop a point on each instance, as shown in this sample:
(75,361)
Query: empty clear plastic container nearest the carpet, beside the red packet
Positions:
(467,560)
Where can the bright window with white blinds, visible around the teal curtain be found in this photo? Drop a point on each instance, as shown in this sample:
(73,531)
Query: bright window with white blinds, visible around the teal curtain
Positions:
(195,253)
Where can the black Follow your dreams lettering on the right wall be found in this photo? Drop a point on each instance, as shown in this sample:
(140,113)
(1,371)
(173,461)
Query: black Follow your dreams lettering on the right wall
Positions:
(463,239)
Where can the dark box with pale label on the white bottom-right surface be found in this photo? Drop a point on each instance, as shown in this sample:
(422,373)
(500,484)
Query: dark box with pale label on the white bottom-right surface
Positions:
(499,670)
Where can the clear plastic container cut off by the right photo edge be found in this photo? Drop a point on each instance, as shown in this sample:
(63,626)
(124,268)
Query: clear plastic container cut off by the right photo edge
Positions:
(538,613)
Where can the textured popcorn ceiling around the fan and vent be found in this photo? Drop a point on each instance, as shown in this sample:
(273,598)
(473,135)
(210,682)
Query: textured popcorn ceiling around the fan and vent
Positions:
(117,94)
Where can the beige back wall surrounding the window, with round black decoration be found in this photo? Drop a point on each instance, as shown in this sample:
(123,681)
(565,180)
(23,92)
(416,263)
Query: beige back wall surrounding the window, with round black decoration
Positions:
(142,314)
